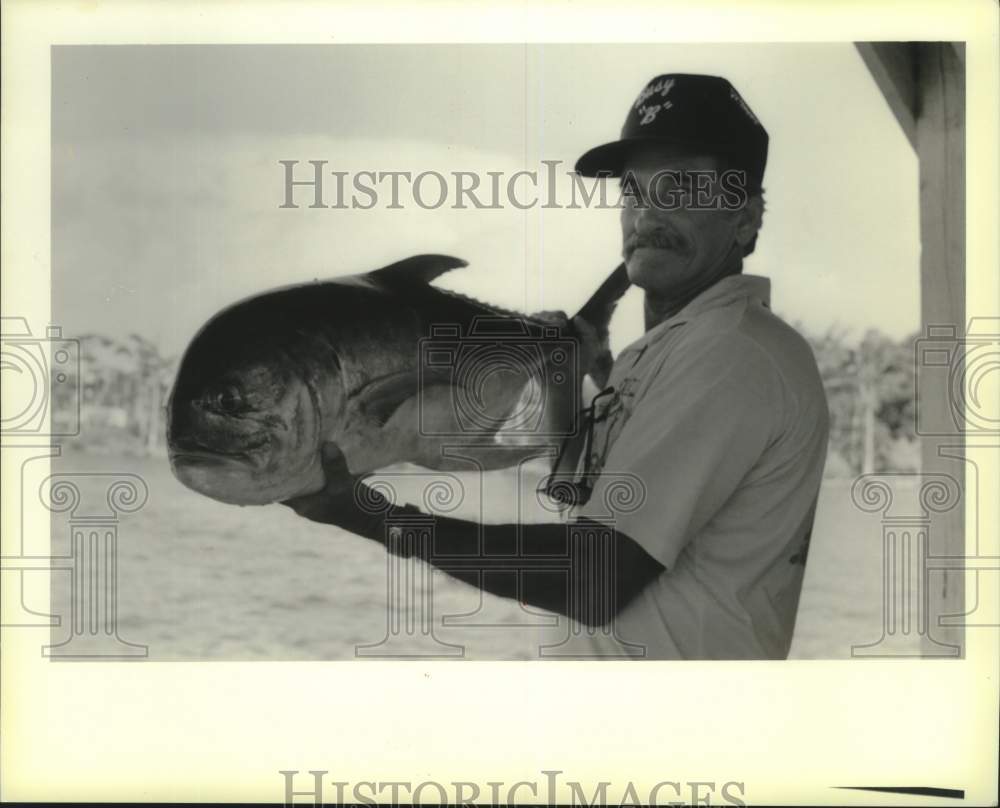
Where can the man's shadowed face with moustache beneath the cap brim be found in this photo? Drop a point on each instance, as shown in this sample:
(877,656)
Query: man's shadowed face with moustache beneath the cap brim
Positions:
(672,241)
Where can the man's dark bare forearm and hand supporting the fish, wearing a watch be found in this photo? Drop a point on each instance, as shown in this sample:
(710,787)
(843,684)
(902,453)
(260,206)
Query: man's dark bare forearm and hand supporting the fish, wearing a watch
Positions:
(583,569)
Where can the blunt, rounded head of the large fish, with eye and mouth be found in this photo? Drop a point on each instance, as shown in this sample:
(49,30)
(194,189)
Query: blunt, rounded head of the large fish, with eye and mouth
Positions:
(244,422)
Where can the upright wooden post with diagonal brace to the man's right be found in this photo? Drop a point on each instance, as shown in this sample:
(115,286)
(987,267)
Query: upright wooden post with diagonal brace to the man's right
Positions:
(924,85)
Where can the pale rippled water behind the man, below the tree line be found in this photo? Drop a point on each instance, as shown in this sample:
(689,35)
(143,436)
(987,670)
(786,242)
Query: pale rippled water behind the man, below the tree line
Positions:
(203,580)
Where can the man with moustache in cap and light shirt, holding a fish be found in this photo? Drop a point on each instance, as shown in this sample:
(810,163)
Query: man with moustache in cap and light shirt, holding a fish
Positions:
(715,417)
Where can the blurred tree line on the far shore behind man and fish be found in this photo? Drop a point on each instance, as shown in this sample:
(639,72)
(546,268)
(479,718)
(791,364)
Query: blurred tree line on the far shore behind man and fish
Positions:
(124,383)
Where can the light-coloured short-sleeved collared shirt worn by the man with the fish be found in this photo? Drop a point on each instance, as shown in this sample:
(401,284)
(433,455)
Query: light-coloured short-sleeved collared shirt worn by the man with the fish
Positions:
(719,422)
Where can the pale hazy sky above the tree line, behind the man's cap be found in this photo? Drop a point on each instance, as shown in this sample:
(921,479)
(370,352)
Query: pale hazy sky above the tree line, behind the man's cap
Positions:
(167,186)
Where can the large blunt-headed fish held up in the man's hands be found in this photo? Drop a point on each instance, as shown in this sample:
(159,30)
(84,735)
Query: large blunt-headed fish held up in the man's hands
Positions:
(386,366)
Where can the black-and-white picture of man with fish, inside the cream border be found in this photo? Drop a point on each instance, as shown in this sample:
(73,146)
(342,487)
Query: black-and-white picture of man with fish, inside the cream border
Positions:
(289,268)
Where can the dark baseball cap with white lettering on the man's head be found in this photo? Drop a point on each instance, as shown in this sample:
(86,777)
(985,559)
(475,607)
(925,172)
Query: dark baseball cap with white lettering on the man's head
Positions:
(703,113)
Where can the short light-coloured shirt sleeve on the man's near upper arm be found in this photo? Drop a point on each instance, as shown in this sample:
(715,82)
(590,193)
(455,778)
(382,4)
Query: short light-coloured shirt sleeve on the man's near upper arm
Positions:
(693,437)
